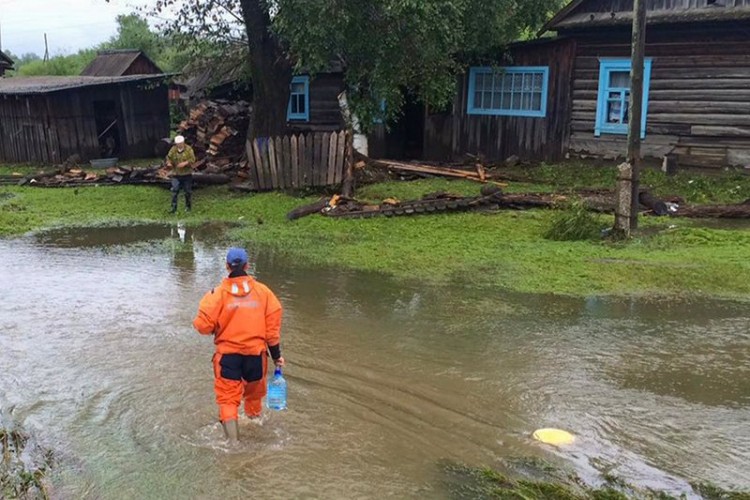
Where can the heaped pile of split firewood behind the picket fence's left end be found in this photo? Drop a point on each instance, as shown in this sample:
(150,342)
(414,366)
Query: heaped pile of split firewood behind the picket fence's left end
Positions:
(217,129)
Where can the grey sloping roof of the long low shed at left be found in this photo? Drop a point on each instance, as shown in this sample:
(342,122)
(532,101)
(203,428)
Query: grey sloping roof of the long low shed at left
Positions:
(44,84)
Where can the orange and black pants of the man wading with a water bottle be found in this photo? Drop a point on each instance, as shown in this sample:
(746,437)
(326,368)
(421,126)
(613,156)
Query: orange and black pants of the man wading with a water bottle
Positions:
(235,379)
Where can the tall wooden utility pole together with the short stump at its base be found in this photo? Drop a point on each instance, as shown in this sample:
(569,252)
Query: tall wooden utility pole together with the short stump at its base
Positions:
(628,180)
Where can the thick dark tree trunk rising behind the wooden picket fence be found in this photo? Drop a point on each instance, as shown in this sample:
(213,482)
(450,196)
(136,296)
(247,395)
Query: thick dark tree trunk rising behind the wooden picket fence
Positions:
(271,72)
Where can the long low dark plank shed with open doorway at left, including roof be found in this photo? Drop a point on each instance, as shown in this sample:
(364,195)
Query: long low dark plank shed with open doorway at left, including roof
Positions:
(47,119)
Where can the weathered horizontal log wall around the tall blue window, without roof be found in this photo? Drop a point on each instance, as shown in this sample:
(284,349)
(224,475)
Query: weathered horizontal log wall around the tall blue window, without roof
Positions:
(699,96)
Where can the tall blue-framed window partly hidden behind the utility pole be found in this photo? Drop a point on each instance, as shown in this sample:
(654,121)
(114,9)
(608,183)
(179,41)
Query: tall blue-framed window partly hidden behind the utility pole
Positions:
(614,96)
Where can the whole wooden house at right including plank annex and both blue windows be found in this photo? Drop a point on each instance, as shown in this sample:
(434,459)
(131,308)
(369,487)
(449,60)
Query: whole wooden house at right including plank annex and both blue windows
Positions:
(696,96)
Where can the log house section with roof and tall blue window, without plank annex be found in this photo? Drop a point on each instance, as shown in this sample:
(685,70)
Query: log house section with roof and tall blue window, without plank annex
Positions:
(697,88)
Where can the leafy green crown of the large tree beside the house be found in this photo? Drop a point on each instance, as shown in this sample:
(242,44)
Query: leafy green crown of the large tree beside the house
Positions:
(389,46)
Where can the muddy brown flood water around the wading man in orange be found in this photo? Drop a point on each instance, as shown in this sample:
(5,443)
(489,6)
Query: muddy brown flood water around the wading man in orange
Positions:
(387,381)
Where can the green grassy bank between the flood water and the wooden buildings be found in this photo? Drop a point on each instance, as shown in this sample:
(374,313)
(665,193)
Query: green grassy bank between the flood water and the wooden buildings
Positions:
(505,250)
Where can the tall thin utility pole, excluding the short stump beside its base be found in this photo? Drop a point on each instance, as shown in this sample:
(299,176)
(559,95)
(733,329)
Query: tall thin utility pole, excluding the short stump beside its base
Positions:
(635,121)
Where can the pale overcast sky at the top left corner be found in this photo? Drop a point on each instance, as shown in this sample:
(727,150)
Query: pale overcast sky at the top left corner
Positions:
(70,24)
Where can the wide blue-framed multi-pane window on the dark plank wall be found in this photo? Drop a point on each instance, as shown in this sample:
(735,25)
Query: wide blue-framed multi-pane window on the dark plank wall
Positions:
(509,91)
